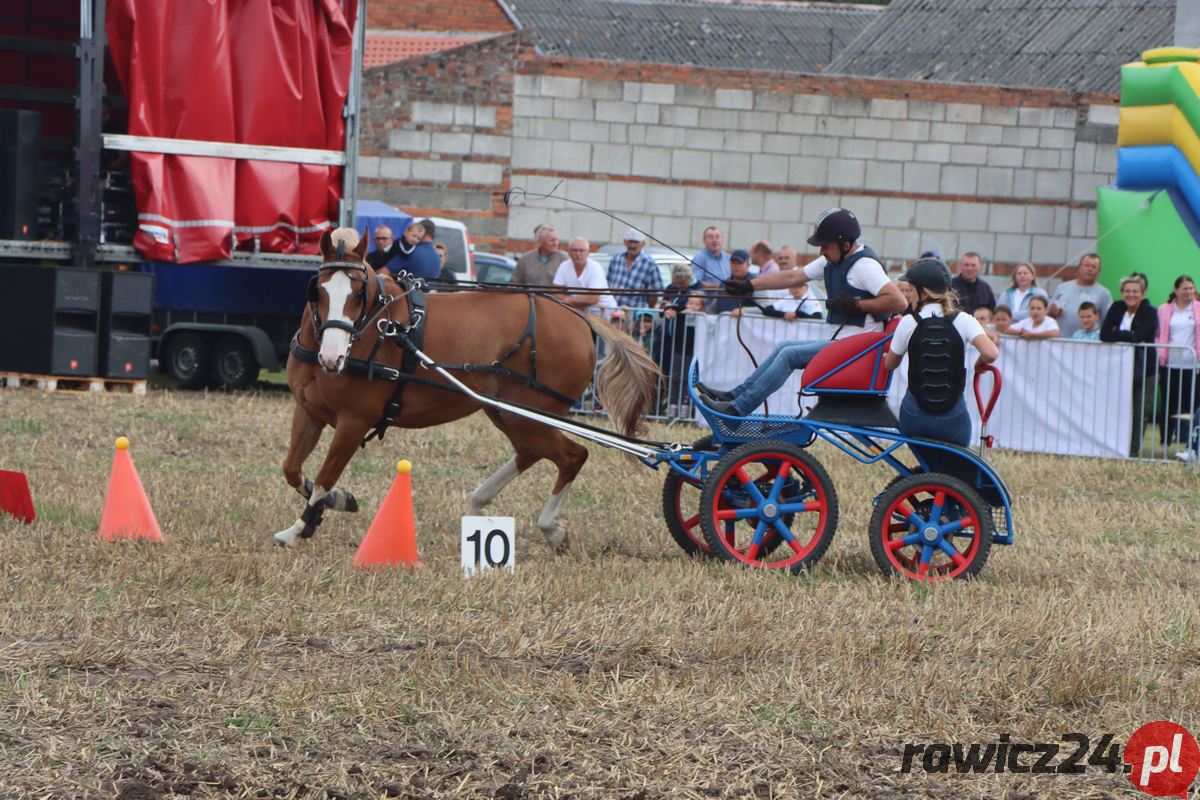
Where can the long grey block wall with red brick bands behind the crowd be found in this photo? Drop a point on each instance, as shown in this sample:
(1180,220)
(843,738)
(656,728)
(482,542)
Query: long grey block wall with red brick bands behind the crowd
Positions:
(1010,173)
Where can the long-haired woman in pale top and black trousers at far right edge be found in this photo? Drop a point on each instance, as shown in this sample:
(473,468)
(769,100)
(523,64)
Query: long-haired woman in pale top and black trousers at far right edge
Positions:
(1179,324)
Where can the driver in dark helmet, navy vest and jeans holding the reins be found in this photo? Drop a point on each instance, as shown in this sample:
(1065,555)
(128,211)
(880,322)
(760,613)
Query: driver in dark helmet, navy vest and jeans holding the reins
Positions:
(861,299)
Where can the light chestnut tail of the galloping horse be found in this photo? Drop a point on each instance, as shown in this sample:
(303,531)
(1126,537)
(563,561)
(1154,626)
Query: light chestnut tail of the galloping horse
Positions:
(627,378)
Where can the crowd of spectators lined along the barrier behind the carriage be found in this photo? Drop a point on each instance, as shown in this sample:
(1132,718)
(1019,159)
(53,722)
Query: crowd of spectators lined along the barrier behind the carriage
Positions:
(628,290)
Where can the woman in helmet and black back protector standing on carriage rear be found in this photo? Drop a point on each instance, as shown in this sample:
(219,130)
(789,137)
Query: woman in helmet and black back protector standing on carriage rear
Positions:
(934,408)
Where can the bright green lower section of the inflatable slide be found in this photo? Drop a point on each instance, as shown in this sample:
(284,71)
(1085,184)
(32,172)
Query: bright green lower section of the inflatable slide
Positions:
(1136,239)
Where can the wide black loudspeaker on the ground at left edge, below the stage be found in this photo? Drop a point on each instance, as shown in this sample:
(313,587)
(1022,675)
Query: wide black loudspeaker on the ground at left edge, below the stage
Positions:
(49,321)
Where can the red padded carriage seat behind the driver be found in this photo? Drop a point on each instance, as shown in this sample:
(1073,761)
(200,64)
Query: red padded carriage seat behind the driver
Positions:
(851,382)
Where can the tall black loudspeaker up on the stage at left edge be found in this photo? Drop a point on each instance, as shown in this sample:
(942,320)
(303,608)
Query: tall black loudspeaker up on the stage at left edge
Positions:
(21,145)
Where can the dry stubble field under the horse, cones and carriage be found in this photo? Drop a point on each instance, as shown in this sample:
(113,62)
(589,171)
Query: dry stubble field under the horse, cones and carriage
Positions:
(217,665)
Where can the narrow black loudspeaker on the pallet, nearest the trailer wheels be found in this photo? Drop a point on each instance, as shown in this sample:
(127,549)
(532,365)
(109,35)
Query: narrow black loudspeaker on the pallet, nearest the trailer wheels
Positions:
(125,310)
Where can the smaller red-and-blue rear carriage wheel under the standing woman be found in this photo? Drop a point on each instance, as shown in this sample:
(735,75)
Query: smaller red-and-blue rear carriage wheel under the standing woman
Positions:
(931,527)
